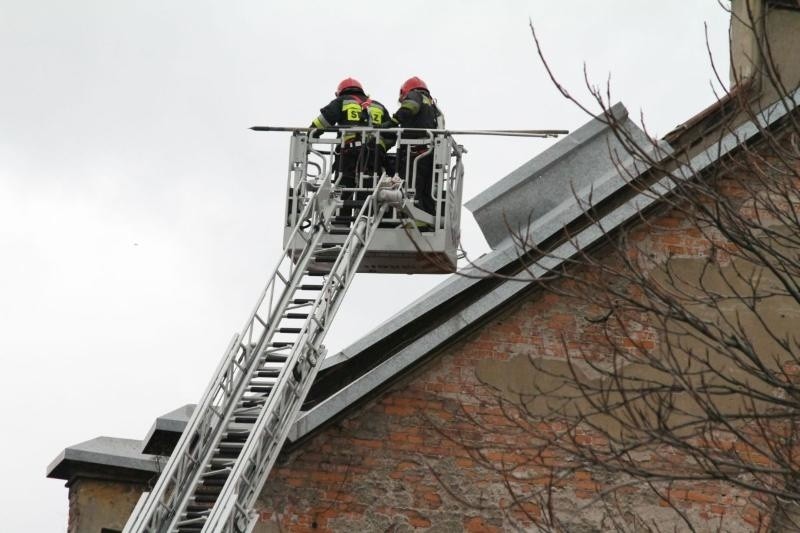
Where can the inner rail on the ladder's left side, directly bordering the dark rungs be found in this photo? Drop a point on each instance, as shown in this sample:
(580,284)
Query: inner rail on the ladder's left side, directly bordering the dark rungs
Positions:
(291,283)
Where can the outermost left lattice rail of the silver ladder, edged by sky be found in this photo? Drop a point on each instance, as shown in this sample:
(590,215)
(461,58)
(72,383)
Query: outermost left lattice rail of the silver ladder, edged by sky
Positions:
(161,502)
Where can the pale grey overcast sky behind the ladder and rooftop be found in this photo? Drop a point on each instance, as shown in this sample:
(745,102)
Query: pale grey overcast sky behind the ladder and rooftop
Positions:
(139,216)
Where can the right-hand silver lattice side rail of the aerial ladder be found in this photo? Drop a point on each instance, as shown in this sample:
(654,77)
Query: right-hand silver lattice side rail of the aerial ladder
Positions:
(273,424)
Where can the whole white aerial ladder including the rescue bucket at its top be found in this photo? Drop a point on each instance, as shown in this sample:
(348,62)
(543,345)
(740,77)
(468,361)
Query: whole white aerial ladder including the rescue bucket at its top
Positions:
(224,455)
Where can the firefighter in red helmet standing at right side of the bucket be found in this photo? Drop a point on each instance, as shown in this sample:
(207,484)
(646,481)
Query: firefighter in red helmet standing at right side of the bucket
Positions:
(418,110)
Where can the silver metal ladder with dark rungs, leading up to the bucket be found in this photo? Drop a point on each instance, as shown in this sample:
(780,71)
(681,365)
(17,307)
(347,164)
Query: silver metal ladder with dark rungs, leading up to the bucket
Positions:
(222,460)
